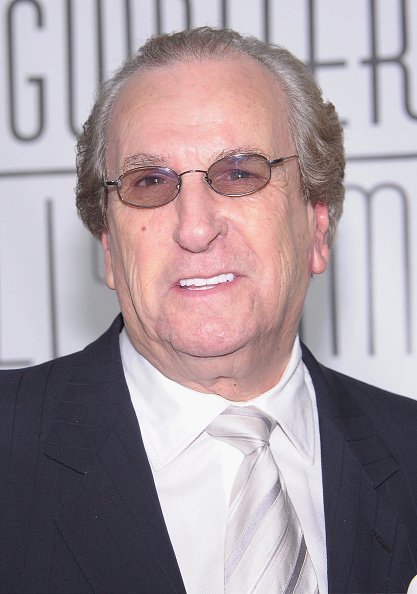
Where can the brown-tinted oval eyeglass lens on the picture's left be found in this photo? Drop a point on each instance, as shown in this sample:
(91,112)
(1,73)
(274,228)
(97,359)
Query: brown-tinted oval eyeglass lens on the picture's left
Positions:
(148,187)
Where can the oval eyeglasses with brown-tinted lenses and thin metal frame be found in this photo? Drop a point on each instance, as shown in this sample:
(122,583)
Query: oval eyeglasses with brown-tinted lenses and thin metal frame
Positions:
(234,175)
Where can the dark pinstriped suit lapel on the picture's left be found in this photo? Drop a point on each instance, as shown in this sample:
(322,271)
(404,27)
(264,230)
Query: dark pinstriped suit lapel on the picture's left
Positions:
(111,518)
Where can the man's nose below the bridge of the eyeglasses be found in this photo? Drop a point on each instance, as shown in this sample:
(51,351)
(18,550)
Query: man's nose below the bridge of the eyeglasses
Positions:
(200,217)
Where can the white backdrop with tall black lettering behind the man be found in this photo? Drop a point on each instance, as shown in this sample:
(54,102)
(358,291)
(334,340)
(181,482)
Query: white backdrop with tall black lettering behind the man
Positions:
(361,317)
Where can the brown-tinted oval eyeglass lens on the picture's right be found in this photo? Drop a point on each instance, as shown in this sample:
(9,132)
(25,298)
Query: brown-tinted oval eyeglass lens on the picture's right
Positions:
(239,175)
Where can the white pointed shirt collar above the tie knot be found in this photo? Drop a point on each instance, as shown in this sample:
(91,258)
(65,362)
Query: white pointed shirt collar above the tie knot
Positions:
(172,416)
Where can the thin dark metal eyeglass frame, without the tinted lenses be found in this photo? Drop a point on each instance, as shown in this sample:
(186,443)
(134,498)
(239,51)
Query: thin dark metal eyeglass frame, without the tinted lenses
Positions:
(271,162)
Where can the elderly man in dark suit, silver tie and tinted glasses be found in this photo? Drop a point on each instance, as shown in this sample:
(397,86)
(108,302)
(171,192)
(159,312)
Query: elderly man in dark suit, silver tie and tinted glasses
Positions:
(197,446)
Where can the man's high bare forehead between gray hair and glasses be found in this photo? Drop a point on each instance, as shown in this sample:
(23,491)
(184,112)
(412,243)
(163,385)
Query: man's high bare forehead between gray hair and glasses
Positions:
(200,108)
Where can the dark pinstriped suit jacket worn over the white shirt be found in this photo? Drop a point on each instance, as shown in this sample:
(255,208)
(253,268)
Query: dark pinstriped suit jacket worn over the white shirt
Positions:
(78,506)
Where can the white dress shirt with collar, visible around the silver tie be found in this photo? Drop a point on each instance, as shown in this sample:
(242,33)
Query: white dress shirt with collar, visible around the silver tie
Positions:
(194,472)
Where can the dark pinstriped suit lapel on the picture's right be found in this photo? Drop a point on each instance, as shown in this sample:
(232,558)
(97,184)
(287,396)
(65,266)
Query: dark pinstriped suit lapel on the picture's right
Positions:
(366,540)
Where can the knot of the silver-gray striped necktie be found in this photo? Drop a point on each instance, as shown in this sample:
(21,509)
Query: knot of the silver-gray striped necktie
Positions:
(245,428)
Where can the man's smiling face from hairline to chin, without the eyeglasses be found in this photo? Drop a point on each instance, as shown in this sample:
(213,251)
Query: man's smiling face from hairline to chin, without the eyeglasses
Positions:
(185,117)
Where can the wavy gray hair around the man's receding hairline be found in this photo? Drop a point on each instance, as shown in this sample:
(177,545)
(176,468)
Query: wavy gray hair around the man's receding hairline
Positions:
(314,124)
